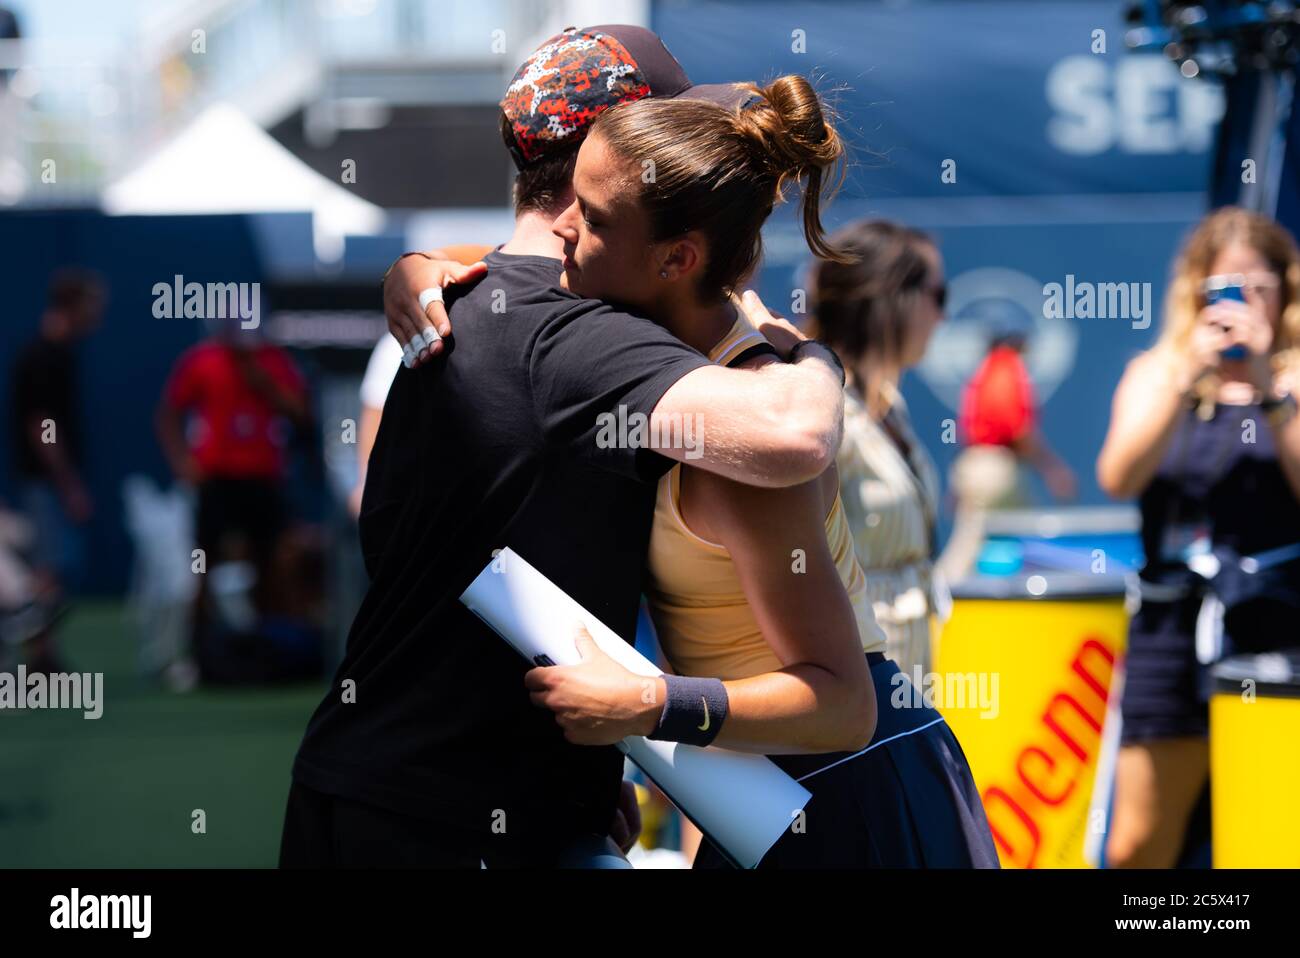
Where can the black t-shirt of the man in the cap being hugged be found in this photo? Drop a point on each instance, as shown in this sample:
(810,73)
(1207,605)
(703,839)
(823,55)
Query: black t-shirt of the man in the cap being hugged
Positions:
(495,447)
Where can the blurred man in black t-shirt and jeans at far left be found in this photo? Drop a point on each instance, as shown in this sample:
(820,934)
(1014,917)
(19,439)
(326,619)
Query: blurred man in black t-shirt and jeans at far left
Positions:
(47,436)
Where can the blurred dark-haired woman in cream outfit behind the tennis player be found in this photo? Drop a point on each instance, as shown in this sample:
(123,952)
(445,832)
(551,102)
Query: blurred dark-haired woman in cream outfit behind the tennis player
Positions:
(878,314)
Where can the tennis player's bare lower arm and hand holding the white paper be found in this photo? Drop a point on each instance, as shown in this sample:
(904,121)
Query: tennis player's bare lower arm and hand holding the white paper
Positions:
(820,700)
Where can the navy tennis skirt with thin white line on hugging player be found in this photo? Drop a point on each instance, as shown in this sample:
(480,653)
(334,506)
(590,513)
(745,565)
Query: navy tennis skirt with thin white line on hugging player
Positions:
(907,801)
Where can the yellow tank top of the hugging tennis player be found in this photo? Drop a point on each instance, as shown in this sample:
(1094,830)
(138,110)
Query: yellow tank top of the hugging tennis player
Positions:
(701,615)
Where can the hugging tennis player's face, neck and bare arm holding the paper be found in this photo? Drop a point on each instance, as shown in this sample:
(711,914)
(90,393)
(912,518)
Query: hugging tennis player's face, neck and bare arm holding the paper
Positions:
(822,699)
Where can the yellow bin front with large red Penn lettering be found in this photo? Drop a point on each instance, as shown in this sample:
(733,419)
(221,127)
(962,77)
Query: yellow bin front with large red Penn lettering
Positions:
(1054,662)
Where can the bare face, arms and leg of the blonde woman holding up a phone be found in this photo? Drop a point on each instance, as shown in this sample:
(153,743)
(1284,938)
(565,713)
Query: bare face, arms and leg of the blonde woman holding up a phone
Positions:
(1158,783)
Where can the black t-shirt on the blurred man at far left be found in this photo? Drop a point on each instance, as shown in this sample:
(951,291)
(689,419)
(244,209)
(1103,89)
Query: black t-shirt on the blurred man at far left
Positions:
(45,385)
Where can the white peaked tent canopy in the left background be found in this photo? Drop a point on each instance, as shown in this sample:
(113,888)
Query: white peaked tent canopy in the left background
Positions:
(224,163)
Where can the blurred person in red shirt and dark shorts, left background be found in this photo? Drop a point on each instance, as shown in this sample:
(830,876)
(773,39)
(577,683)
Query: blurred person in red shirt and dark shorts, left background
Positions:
(241,397)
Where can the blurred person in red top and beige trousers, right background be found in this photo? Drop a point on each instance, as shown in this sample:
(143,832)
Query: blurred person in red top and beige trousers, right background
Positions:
(999,428)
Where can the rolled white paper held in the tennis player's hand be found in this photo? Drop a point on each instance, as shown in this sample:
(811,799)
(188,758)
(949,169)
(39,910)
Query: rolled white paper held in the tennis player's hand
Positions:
(743,801)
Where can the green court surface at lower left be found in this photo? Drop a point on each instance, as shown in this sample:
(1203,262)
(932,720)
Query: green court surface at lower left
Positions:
(122,791)
